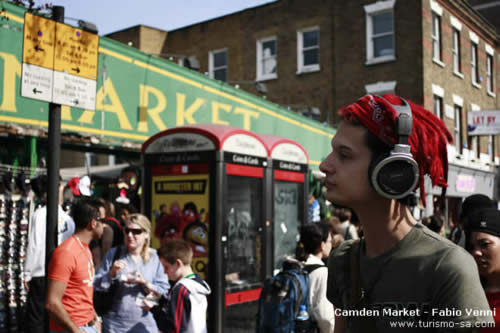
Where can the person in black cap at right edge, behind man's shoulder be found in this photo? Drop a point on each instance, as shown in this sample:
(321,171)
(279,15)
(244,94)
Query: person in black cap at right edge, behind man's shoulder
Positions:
(483,231)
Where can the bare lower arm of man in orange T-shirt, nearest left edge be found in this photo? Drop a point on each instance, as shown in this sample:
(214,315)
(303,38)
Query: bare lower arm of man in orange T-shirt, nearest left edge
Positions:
(55,307)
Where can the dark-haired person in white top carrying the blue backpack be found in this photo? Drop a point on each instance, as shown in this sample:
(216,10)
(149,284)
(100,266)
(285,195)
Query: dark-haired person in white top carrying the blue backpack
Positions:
(315,244)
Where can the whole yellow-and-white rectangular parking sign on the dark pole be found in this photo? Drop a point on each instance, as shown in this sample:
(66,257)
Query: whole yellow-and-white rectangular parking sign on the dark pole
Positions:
(59,63)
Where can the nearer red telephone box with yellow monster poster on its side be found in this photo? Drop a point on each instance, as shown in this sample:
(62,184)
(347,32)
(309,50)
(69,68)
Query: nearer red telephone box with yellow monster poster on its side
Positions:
(212,180)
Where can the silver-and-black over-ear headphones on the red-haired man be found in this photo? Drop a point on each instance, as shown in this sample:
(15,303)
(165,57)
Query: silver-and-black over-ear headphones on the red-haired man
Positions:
(394,176)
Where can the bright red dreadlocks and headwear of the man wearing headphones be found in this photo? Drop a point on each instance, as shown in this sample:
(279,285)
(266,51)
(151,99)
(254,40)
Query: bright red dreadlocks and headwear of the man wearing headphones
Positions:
(428,139)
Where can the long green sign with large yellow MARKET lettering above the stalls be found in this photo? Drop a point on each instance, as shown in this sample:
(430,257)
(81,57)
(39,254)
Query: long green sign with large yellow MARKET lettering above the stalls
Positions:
(139,95)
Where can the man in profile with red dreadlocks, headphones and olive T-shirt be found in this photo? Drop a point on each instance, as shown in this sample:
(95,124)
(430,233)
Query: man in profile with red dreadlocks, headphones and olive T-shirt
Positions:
(400,273)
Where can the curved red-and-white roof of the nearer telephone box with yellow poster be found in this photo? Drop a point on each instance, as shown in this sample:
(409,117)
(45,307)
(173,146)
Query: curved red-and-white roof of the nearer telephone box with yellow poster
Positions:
(222,136)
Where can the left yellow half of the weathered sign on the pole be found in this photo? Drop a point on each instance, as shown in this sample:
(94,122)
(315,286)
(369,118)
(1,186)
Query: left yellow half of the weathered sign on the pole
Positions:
(39,38)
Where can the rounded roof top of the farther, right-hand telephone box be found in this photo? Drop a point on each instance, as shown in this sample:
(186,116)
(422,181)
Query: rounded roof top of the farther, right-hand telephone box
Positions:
(285,149)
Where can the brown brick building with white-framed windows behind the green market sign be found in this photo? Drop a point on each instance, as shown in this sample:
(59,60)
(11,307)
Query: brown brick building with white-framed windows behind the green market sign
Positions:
(317,55)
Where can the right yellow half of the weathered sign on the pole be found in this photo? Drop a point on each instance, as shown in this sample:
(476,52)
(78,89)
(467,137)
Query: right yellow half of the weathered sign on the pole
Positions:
(76,51)
